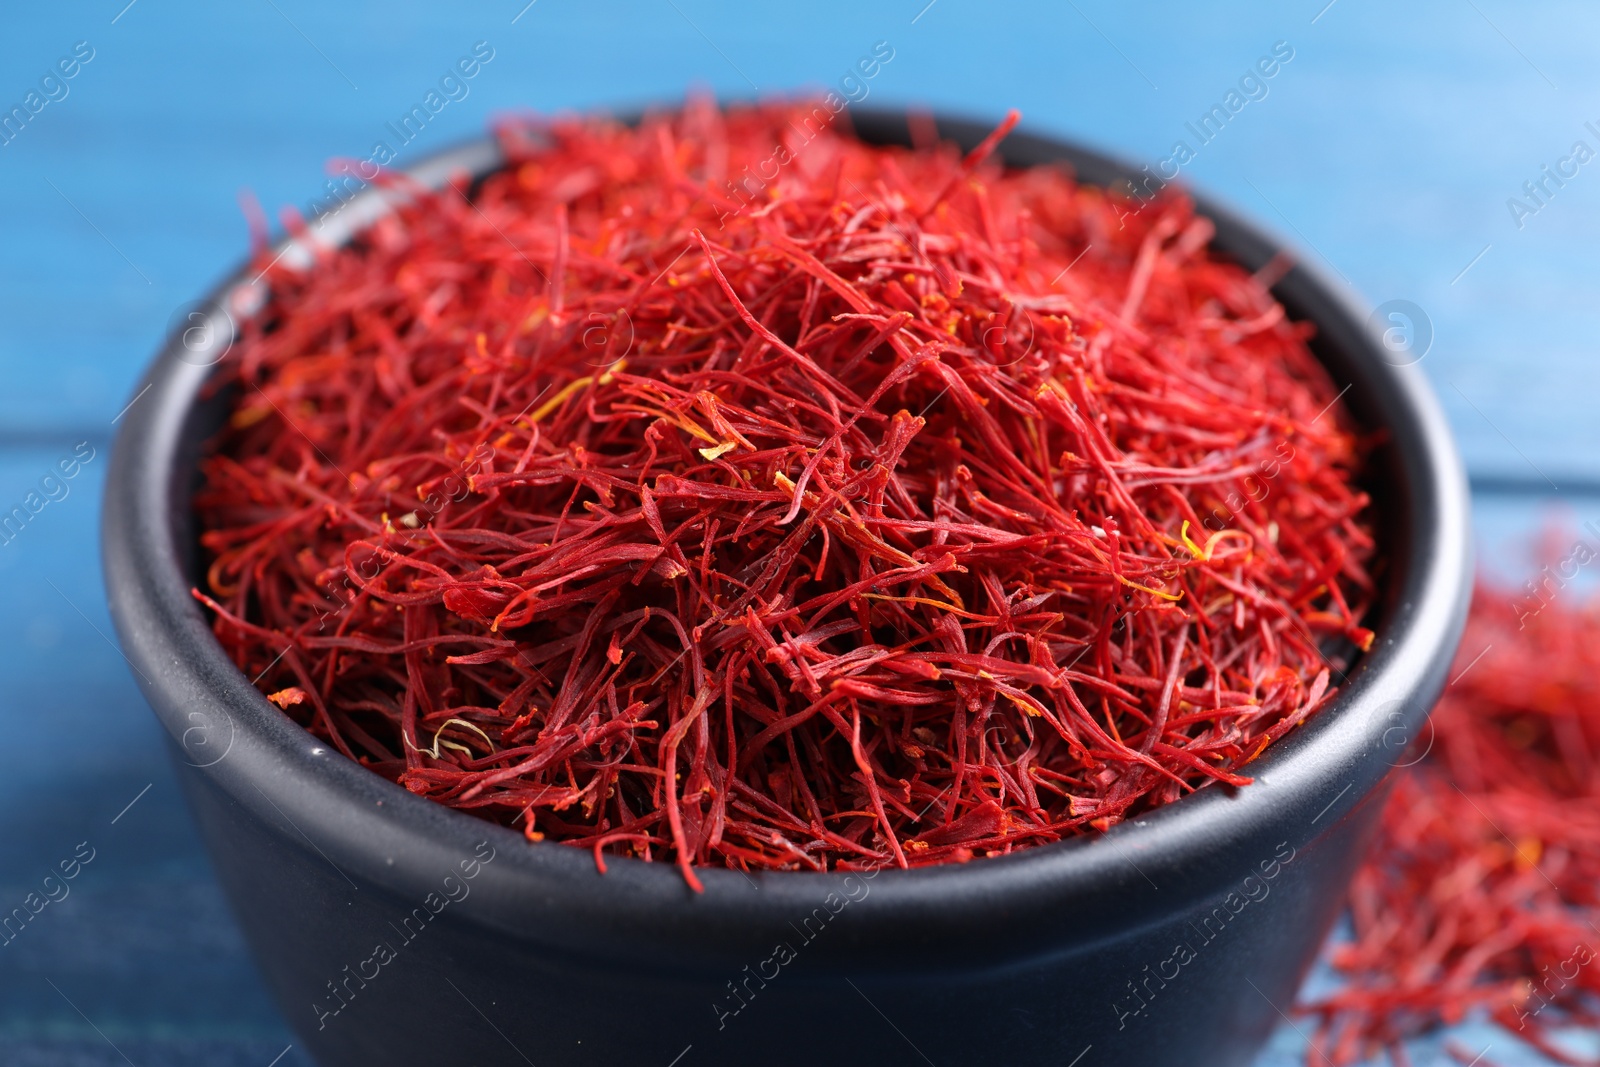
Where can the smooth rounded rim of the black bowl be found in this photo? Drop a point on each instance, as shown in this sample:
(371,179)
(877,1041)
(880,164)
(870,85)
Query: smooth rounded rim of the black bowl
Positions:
(1002,908)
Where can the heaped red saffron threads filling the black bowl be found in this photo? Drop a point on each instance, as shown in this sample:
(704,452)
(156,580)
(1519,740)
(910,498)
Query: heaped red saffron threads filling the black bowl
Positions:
(729,492)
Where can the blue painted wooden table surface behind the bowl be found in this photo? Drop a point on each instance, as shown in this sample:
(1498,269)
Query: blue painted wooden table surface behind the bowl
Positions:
(1390,148)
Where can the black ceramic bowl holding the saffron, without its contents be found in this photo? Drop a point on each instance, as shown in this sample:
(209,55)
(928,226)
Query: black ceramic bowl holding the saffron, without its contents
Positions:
(398,932)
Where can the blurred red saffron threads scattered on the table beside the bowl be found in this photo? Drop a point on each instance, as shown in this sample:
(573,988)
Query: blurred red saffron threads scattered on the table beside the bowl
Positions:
(1482,895)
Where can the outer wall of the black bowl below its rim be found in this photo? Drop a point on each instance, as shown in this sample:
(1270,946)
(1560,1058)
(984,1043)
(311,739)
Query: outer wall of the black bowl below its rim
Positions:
(369,978)
